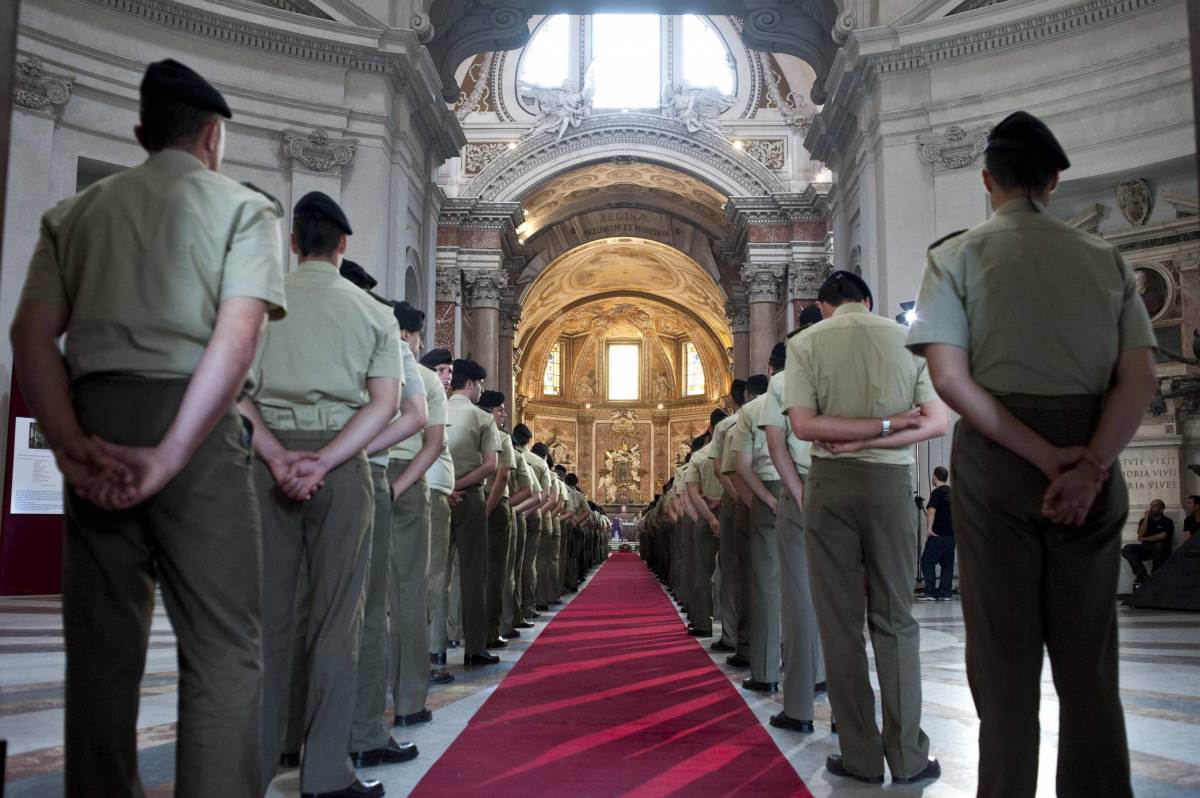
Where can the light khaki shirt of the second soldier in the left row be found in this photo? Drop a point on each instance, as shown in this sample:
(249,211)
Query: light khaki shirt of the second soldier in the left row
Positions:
(316,363)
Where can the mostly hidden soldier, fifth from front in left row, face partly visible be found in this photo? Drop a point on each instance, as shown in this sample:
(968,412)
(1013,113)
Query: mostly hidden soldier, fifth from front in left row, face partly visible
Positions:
(440,479)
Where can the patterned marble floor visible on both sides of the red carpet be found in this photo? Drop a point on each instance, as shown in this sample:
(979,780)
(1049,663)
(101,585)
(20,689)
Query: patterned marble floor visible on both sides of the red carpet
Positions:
(1160,682)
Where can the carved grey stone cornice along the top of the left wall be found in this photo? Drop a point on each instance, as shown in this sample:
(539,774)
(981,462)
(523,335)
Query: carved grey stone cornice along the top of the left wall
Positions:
(400,57)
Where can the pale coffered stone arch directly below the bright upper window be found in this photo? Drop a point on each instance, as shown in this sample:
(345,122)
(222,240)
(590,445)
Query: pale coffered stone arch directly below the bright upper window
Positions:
(638,137)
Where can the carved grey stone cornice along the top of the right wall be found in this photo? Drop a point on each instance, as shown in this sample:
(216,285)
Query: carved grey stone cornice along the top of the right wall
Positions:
(854,73)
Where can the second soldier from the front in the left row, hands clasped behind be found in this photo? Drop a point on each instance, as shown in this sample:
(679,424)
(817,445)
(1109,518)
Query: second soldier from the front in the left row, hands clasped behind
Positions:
(320,403)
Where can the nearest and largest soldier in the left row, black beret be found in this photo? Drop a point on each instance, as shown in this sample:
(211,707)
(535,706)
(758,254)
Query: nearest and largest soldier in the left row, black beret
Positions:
(148,298)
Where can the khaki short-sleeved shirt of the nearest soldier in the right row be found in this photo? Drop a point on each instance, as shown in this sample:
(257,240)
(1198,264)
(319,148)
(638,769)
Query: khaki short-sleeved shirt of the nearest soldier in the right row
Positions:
(1041,307)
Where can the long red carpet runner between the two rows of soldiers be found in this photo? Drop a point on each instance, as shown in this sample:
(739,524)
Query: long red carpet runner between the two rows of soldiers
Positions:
(615,699)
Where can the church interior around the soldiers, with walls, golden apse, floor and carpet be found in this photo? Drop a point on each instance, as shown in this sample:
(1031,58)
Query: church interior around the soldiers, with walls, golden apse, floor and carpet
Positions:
(617,208)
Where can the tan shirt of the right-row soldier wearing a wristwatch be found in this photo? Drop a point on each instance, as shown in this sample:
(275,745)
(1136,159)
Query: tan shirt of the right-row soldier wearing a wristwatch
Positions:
(855,365)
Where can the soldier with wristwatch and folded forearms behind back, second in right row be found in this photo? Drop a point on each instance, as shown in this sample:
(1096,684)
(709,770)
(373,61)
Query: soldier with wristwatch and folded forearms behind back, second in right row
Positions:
(853,387)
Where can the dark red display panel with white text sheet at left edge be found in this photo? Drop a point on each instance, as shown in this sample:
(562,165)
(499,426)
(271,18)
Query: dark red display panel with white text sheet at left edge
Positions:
(32,539)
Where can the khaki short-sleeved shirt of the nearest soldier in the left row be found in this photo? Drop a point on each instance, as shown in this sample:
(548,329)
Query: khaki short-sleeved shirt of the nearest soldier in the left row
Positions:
(143,260)
